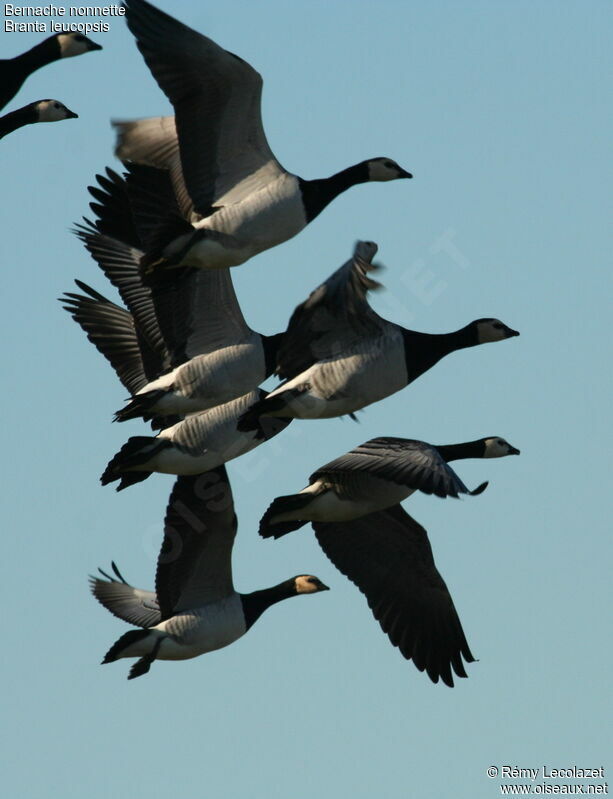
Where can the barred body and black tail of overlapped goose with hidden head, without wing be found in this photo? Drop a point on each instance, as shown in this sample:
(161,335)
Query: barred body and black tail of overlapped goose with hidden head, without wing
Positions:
(200,442)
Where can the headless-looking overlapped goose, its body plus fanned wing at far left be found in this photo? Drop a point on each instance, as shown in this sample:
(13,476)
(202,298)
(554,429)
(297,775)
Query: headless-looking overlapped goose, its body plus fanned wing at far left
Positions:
(190,446)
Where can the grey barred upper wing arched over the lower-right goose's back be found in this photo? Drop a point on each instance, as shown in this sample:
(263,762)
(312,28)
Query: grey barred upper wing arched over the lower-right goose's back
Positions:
(414,464)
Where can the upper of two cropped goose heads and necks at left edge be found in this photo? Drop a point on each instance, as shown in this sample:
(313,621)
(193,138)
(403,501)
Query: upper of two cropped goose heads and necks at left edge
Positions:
(14,71)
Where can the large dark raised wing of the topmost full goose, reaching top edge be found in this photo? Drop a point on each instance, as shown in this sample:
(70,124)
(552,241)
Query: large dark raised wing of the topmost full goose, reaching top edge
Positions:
(216,97)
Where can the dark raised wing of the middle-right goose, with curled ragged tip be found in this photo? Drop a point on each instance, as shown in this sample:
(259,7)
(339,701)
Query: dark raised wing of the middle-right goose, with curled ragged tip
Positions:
(335,315)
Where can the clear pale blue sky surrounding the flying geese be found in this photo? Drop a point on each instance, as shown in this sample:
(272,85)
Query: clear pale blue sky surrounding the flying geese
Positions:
(499,109)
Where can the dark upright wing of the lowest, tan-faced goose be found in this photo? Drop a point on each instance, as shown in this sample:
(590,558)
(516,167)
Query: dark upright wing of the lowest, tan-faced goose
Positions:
(194,564)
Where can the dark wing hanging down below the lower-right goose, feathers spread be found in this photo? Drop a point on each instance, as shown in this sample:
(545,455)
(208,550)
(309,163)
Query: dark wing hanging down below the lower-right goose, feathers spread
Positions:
(387,555)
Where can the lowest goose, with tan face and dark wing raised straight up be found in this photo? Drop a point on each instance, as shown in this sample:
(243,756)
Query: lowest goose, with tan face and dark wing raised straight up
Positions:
(194,608)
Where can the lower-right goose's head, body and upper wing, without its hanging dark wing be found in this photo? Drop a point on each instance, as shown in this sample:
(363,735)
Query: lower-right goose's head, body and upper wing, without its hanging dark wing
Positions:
(376,475)
